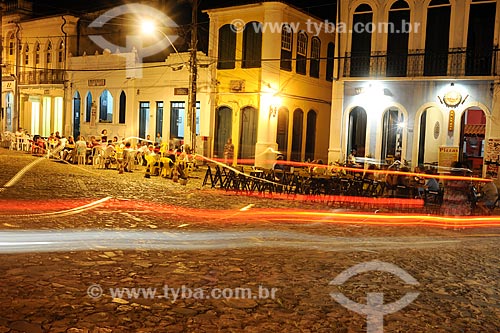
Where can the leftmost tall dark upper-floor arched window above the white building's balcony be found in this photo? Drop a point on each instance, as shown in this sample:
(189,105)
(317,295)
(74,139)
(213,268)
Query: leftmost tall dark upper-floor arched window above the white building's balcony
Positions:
(361,42)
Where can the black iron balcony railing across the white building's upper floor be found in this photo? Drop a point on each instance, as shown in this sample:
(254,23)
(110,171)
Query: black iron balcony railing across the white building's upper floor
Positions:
(418,63)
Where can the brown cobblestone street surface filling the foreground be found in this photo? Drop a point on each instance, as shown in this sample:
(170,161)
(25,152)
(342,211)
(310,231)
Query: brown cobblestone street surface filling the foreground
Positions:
(457,269)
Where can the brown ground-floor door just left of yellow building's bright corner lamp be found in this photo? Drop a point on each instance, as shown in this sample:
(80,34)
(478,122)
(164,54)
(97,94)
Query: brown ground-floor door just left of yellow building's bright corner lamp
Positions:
(248,133)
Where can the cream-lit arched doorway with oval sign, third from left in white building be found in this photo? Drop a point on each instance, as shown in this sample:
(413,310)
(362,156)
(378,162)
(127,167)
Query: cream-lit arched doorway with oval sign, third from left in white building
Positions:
(432,131)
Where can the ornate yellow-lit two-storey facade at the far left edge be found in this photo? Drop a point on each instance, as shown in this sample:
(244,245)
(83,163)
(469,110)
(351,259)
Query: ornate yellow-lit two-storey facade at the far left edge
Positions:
(33,72)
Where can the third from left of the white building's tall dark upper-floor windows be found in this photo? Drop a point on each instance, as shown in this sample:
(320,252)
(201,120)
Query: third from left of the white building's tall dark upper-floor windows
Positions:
(437,38)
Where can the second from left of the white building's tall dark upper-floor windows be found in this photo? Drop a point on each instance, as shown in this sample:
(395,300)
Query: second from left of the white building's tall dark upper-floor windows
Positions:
(397,39)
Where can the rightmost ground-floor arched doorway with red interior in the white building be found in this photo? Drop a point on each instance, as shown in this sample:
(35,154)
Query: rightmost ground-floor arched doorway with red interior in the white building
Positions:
(472,135)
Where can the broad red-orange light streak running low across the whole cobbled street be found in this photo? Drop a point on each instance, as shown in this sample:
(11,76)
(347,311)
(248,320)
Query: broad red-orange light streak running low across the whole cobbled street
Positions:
(259,215)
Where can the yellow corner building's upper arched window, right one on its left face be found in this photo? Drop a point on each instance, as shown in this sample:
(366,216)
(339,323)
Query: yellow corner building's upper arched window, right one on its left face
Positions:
(252,45)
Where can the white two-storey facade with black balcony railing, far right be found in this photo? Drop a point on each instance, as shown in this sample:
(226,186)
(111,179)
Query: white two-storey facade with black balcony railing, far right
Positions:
(413,78)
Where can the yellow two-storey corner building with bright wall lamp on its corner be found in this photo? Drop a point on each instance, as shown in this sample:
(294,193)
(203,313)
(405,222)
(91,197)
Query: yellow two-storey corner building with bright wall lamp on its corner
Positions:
(272,82)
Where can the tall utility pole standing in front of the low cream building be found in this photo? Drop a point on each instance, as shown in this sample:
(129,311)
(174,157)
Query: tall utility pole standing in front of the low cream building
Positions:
(193,76)
